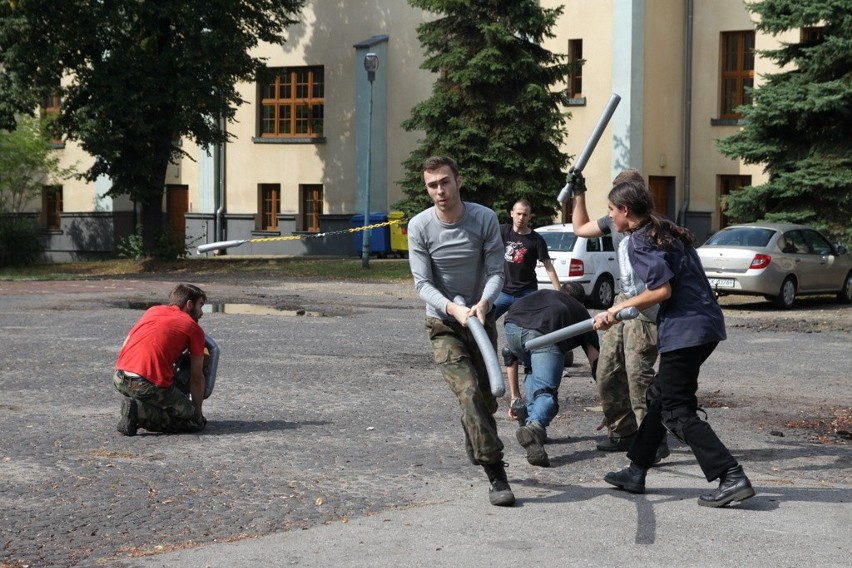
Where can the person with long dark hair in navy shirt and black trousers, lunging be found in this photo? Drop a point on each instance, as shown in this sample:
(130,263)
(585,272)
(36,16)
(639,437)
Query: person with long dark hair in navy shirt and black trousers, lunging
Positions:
(690,326)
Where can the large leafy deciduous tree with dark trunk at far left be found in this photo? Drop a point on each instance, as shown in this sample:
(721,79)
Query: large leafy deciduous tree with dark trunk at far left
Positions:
(134,76)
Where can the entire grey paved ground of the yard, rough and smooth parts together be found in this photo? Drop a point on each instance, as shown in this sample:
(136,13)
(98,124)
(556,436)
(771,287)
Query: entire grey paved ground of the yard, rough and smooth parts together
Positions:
(332,441)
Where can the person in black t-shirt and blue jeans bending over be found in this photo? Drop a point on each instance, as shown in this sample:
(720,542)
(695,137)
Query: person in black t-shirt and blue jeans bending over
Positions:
(537,314)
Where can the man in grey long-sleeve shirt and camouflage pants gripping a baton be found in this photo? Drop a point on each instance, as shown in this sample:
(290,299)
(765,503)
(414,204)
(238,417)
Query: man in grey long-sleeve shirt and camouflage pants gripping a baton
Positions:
(455,248)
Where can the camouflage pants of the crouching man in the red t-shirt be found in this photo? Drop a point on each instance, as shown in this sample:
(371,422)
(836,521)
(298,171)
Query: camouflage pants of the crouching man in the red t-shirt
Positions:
(159,409)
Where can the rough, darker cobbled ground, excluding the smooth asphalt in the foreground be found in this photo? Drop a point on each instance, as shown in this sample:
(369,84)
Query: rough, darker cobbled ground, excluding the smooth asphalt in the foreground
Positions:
(320,419)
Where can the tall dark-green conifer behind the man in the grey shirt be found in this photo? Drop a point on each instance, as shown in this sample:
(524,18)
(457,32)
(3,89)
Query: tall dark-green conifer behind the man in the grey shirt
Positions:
(494,108)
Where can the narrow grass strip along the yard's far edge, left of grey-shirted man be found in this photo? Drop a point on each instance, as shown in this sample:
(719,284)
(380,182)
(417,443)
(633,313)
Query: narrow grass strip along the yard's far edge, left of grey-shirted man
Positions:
(326,268)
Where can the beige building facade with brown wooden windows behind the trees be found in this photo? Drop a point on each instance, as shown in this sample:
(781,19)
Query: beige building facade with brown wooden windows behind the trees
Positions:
(317,137)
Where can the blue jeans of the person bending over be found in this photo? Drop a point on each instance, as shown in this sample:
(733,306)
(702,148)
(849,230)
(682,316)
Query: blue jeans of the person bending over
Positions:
(542,384)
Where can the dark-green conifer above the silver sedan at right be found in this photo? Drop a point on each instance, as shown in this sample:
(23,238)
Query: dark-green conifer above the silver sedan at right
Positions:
(800,124)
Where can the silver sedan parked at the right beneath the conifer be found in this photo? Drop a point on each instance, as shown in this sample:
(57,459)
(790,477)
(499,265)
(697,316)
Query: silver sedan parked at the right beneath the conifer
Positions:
(777,260)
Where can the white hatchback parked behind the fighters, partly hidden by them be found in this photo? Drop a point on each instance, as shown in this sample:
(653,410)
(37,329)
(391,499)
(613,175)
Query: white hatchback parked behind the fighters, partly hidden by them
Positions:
(591,262)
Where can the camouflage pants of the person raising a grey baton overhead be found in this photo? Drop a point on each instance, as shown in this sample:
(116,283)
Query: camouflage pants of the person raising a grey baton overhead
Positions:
(625,369)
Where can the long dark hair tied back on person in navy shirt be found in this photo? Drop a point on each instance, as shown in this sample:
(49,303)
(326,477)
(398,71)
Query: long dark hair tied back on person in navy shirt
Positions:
(629,191)
